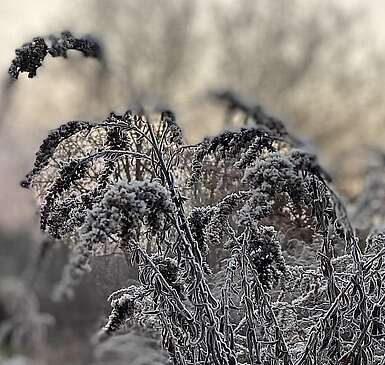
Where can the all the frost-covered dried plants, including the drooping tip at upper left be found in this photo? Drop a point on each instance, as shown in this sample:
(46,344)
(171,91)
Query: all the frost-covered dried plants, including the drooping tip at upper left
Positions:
(245,253)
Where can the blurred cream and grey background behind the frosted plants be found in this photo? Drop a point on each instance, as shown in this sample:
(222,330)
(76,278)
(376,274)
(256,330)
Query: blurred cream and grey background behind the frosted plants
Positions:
(318,65)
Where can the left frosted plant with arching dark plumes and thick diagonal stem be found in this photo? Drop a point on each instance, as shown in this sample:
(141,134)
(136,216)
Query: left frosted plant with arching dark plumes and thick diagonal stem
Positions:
(121,213)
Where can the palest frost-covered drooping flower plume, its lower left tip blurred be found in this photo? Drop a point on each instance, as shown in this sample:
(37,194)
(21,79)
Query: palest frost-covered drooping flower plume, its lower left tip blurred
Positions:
(118,214)
